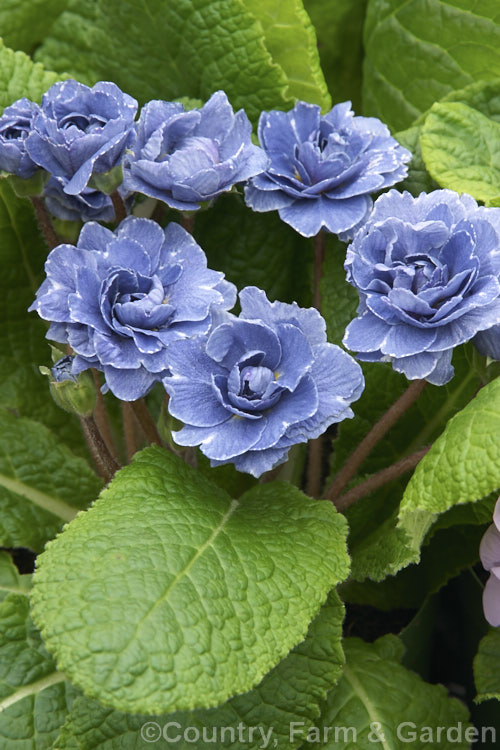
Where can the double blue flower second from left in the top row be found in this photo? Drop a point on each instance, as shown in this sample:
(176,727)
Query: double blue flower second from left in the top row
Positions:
(80,131)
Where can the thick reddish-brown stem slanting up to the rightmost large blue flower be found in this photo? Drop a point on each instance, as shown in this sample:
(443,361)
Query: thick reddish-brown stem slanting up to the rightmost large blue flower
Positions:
(369,442)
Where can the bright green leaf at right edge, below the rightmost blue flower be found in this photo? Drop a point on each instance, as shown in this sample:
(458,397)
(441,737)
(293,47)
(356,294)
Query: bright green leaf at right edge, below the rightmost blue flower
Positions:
(462,466)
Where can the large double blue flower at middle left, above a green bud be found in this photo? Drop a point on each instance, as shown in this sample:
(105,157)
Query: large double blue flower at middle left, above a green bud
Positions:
(120,298)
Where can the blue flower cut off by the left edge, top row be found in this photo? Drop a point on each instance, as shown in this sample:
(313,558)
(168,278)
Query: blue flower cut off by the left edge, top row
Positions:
(15,126)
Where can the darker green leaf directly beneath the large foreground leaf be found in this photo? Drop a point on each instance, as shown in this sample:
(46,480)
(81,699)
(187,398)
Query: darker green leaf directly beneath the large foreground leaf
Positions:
(292,691)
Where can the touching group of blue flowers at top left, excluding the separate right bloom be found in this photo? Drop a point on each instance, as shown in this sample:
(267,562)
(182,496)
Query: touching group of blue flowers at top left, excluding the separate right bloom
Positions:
(80,134)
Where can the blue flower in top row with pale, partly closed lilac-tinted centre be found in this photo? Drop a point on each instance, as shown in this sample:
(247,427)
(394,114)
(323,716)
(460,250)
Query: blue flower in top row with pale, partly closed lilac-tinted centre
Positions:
(186,158)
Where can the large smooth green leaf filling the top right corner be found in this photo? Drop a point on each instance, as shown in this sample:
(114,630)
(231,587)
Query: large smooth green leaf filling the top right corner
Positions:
(445,44)
